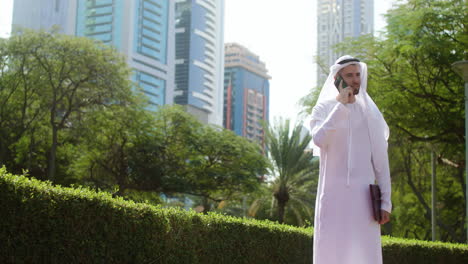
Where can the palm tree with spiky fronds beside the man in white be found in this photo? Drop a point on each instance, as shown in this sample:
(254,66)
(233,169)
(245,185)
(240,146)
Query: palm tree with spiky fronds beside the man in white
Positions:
(292,170)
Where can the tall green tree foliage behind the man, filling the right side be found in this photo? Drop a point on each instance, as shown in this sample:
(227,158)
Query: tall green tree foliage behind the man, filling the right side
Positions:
(421,98)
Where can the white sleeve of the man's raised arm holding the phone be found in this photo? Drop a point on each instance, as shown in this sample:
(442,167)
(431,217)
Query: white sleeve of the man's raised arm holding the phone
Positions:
(324,124)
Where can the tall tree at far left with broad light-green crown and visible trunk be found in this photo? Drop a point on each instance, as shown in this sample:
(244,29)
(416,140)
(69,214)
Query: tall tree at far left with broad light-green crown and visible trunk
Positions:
(61,79)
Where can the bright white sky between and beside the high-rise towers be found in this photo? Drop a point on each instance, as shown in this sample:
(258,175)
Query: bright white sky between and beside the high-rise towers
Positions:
(282,35)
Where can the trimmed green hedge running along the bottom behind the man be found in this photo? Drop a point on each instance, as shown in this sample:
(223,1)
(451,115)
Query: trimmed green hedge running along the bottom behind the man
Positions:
(41,223)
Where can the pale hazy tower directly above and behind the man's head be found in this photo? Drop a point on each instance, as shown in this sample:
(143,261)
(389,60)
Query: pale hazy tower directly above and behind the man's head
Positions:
(336,21)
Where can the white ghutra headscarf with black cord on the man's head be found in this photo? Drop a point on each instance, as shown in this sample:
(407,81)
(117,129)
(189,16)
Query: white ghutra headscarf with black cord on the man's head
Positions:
(378,128)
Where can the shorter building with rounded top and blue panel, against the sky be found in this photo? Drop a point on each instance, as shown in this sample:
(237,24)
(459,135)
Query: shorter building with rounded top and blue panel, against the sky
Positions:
(246,93)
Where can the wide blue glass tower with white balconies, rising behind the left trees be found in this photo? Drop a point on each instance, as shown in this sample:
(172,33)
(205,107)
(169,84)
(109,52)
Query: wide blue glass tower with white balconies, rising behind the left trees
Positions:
(141,29)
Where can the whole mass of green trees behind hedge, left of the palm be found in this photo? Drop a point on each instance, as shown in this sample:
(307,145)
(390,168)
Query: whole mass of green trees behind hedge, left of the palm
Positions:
(68,114)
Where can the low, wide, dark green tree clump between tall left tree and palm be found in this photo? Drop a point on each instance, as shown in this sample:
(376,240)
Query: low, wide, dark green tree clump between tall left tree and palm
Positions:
(168,152)
